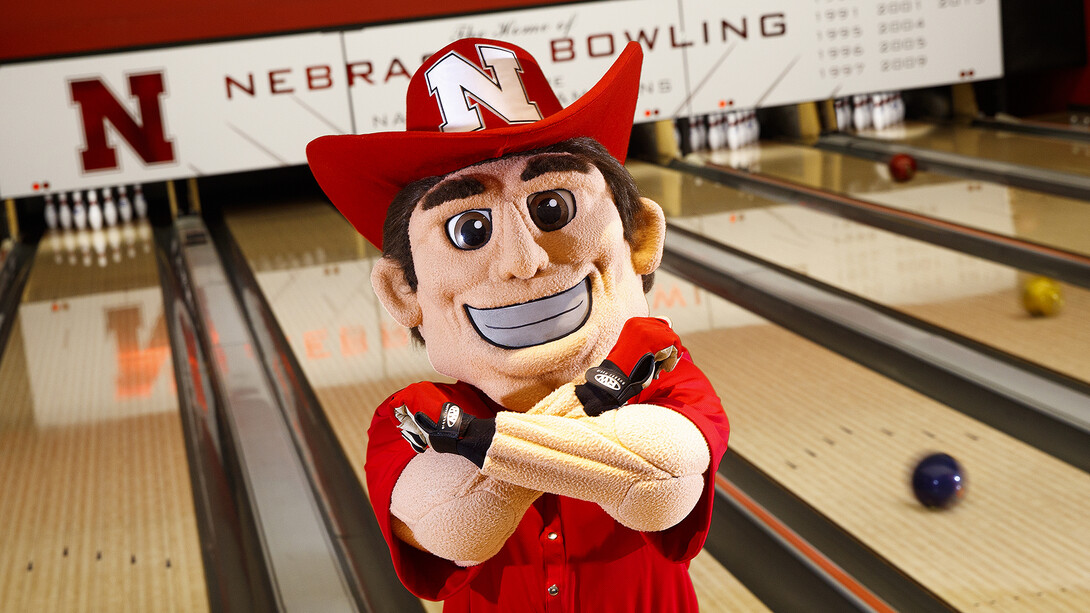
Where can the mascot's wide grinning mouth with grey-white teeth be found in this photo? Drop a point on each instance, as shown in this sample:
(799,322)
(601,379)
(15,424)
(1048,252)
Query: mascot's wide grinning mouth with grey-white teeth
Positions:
(537,322)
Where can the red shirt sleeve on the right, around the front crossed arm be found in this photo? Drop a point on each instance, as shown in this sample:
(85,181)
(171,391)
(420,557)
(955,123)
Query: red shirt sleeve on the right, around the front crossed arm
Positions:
(688,392)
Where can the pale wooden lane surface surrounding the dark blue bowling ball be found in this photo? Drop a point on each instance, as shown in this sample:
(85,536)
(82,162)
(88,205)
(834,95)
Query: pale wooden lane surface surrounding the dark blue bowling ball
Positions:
(845,440)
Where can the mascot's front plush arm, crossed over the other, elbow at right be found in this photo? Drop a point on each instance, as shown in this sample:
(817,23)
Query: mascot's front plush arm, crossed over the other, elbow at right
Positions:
(643,464)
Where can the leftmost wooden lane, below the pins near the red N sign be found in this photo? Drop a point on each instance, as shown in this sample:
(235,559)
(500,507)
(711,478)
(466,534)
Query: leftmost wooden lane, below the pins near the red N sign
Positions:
(98,511)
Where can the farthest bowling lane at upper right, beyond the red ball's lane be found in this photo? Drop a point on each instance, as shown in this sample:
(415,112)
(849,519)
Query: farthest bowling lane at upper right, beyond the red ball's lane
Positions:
(998,146)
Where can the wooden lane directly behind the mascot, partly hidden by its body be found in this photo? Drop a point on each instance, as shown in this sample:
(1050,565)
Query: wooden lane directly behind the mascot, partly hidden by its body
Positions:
(316,272)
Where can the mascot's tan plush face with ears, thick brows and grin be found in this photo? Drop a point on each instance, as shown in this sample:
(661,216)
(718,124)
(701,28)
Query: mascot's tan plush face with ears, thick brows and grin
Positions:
(525,278)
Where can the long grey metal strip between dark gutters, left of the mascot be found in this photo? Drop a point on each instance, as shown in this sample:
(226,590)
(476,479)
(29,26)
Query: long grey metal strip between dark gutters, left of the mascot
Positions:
(304,567)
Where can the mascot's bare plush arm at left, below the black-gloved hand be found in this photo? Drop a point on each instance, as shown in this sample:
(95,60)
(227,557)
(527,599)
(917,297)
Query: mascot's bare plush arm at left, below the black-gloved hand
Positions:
(444,506)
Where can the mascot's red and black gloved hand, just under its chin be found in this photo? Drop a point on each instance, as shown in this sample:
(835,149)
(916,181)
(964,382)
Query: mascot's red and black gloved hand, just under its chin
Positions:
(647,348)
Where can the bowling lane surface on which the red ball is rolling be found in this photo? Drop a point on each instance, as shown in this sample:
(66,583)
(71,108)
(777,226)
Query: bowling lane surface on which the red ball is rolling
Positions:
(1024,214)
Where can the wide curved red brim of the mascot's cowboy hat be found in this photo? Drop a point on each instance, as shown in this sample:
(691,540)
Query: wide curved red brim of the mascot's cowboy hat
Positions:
(361,174)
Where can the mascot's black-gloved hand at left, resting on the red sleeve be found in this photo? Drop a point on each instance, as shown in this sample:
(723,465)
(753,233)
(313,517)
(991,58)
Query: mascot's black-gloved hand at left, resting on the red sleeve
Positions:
(457,432)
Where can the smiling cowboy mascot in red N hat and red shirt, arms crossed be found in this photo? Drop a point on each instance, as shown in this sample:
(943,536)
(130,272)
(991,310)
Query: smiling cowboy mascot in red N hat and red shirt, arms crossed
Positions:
(571,467)
